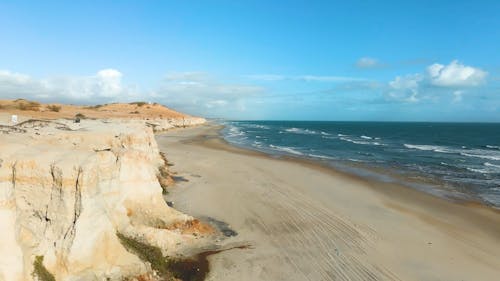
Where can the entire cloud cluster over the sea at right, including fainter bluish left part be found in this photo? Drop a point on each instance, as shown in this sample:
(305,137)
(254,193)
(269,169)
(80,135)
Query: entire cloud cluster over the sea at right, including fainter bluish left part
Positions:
(453,78)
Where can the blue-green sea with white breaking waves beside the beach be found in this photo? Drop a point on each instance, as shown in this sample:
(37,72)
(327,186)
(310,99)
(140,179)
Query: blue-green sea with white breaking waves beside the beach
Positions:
(455,160)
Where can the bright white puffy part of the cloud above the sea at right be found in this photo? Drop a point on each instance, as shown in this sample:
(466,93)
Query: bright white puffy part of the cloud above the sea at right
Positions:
(455,74)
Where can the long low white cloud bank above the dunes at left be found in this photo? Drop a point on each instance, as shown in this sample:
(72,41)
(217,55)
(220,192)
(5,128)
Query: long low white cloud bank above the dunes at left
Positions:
(193,92)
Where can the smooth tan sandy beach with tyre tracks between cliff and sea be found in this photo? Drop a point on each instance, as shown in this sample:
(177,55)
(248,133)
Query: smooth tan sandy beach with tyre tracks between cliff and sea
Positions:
(307,222)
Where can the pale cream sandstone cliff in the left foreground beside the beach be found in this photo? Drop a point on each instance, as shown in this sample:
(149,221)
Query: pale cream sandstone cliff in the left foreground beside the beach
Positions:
(67,189)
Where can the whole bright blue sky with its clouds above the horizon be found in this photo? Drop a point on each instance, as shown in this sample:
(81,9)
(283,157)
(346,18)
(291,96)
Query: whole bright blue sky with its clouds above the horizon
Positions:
(300,60)
